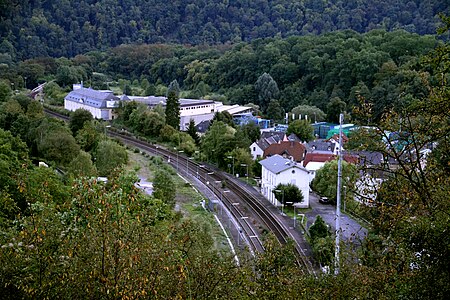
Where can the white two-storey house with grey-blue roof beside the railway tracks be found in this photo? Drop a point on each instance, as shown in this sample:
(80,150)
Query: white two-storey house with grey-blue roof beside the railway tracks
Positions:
(276,170)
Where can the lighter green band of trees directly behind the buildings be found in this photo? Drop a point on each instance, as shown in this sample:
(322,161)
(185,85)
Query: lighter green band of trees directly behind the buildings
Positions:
(330,71)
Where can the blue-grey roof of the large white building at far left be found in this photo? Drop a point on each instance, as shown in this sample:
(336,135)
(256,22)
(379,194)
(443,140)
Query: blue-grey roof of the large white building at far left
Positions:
(91,97)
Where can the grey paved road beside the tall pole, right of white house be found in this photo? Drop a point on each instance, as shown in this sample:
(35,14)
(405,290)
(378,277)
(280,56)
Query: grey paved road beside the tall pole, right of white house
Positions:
(351,230)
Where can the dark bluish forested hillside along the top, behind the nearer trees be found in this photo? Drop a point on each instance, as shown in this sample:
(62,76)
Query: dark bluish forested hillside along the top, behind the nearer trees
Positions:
(66,28)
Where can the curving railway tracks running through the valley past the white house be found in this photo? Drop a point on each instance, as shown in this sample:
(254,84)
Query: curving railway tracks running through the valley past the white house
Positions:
(245,208)
